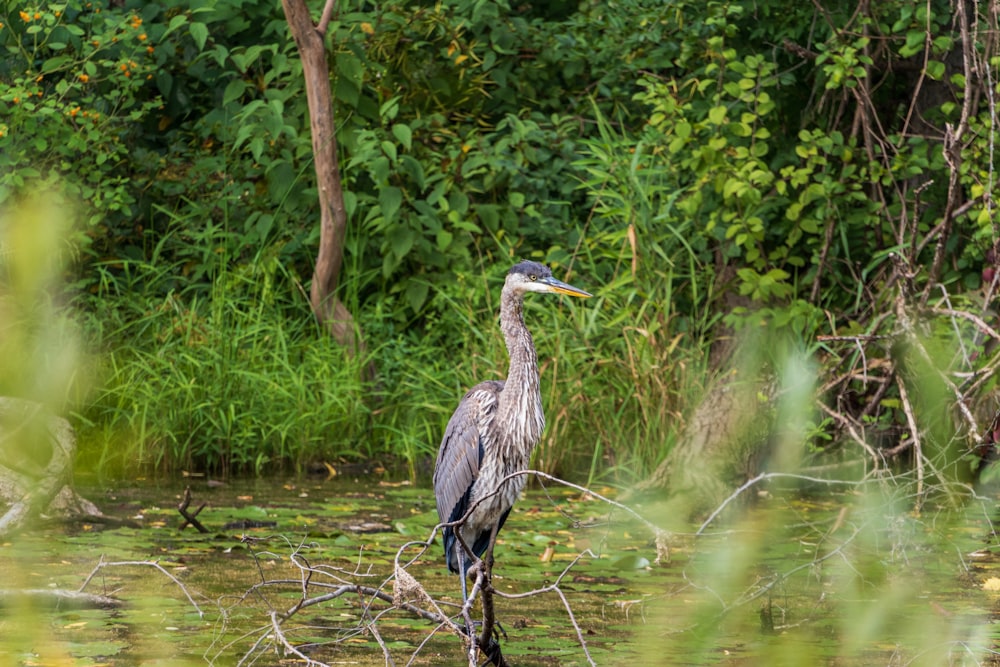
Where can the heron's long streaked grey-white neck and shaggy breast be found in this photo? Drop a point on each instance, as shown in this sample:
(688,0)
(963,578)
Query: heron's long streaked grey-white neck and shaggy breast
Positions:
(520,407)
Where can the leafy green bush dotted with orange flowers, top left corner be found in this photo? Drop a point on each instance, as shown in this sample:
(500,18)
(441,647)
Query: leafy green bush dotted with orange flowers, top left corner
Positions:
(73,104)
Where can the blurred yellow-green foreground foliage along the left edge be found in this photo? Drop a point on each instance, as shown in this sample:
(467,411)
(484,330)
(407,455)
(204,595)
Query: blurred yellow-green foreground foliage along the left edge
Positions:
(39,361)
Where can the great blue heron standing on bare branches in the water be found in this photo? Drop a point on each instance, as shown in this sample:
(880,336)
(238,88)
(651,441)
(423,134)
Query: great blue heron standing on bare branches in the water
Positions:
(494,430)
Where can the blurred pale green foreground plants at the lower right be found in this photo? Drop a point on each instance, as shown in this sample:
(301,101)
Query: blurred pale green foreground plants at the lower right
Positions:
(857,577)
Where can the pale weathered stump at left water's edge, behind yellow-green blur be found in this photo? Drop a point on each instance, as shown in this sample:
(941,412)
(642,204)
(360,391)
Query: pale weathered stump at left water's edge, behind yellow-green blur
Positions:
(36,457)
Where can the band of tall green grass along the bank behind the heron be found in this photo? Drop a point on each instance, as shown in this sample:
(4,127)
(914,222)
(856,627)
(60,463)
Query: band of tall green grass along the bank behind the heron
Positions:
(239,379)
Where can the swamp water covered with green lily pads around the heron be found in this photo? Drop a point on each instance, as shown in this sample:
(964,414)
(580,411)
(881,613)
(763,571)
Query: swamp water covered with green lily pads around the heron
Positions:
(838,579)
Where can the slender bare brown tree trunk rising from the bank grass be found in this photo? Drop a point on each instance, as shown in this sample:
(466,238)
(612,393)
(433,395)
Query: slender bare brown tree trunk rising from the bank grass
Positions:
(309,38)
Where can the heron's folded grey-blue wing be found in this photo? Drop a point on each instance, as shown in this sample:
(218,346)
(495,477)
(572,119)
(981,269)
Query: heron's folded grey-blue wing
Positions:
(461,450)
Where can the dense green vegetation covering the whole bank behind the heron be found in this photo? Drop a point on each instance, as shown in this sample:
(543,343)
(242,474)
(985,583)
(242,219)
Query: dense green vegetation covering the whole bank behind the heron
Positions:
(706,168)
